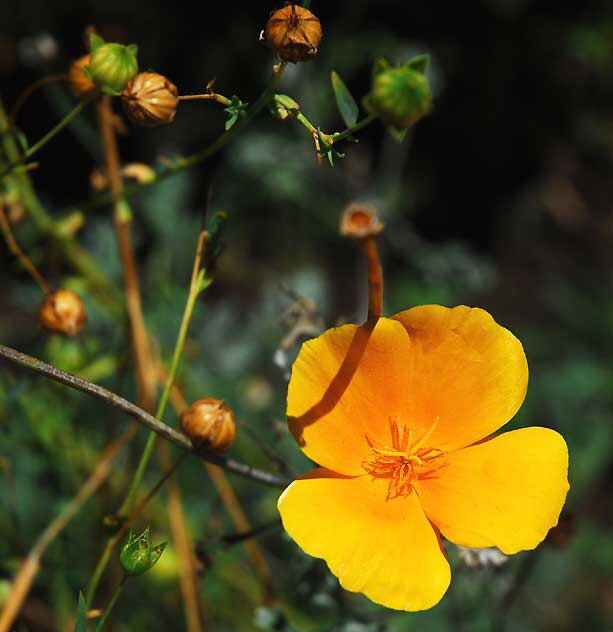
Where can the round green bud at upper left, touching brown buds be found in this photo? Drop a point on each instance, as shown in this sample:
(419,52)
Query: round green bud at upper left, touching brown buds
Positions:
(111,65)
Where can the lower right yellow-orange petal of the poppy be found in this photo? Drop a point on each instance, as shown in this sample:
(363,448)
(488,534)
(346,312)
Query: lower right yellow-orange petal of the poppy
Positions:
(506,492)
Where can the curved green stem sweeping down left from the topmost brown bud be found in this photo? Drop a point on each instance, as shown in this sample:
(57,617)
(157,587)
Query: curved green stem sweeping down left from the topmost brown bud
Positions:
(189,161)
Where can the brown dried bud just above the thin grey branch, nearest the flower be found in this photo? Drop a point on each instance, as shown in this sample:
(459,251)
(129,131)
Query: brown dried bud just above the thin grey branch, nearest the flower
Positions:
(210,424)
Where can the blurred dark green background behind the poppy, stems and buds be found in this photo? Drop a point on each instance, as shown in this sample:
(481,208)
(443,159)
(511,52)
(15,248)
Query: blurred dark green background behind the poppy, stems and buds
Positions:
(501,198)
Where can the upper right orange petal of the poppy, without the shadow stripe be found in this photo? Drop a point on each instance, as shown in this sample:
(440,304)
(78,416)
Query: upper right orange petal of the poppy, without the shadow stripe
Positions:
(467,373)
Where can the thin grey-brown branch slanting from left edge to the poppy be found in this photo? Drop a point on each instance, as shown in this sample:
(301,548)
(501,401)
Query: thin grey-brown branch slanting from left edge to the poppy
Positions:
(144,418)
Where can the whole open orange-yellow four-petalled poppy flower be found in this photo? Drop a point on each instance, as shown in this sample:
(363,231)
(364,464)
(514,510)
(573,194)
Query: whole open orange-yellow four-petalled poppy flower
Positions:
(396,412)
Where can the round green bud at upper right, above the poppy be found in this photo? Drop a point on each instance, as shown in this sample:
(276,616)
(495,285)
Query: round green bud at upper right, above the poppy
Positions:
(400,96)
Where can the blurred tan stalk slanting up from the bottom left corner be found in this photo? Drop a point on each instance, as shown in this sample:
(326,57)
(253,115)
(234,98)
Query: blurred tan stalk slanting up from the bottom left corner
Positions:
(29,568)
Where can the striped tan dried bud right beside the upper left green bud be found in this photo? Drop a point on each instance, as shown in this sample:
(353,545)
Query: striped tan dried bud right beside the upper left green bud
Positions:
(150,99)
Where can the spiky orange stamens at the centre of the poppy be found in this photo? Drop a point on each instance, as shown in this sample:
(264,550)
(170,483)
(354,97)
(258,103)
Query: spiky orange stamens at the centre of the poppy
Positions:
(403,462)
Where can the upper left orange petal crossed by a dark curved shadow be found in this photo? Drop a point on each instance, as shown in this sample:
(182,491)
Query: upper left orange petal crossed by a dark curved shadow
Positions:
(345,384)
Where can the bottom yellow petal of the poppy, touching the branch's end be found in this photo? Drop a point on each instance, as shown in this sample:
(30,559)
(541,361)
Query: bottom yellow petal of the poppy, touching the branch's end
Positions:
(386,550)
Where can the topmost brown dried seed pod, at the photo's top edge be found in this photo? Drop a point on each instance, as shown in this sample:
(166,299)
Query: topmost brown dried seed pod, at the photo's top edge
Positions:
(294,32)
